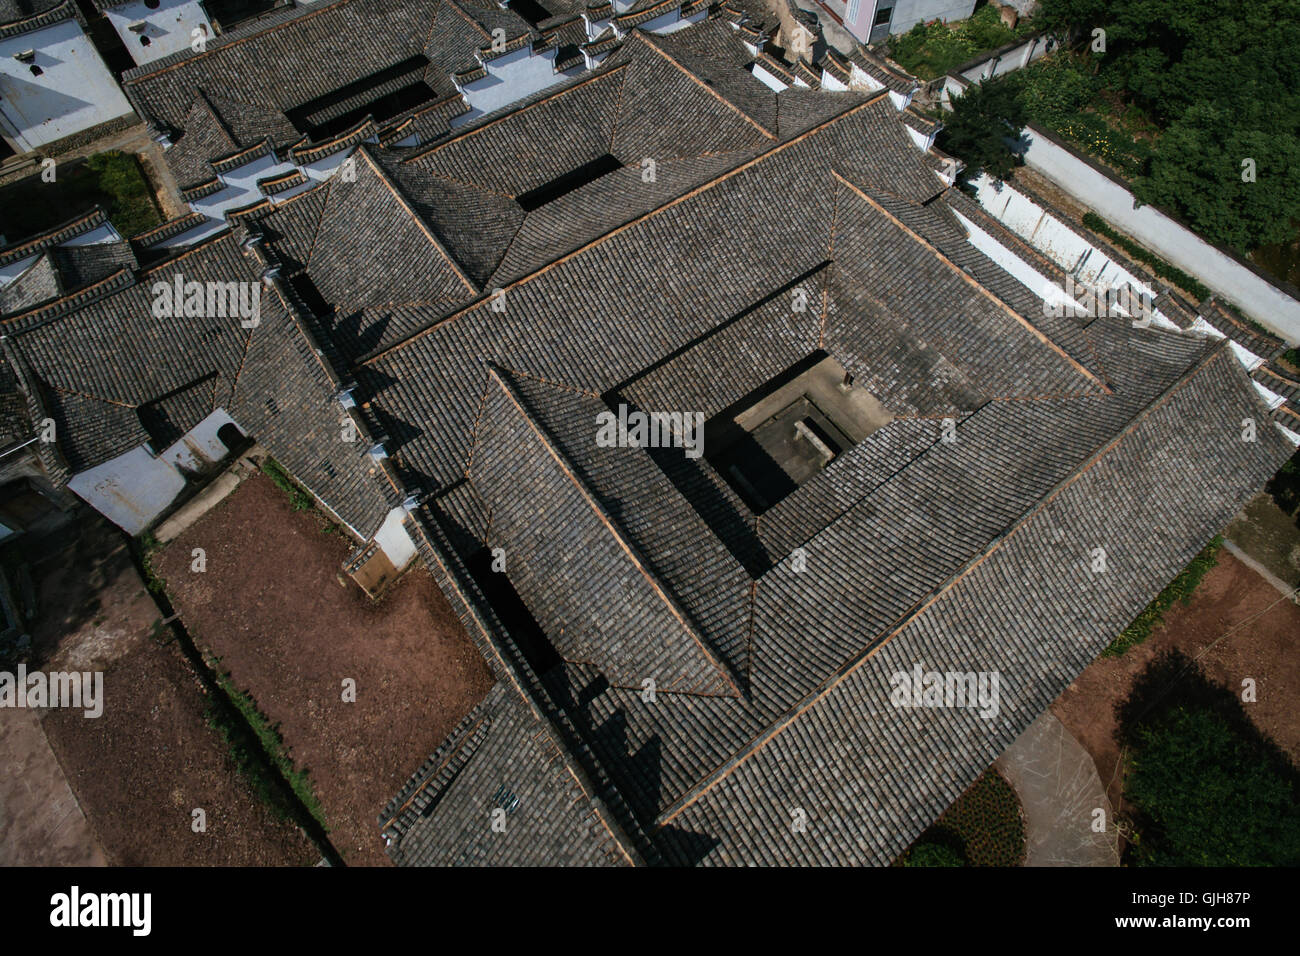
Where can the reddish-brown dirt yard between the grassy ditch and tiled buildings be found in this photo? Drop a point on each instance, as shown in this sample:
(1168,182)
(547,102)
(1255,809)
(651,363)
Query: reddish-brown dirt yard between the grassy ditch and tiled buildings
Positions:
(274,605)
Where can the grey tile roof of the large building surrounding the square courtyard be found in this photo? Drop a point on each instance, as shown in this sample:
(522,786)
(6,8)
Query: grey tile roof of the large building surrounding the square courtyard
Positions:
(903,533)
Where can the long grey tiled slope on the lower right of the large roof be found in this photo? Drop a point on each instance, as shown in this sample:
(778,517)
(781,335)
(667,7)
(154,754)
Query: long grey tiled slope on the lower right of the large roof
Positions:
(1030,611)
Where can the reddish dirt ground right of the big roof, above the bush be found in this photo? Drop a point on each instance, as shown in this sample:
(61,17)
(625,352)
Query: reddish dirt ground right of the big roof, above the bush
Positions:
(1263,642)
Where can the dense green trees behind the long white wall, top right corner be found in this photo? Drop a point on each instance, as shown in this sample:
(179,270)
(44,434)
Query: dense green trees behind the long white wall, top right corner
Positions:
(1221,83)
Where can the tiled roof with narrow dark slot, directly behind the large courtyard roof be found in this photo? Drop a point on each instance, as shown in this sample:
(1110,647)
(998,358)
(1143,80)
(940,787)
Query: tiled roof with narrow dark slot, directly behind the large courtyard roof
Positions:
(460,197)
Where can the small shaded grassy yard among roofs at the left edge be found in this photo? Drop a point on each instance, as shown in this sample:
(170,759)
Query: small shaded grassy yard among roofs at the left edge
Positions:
(112,180)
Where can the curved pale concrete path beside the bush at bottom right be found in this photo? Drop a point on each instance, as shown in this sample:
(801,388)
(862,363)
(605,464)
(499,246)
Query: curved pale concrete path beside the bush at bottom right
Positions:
(1060,791)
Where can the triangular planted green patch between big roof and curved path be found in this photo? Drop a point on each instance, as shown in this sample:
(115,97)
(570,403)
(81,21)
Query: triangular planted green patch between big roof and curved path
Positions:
(982,829)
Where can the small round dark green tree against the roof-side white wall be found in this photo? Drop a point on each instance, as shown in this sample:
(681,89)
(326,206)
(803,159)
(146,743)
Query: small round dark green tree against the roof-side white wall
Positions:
(982,126)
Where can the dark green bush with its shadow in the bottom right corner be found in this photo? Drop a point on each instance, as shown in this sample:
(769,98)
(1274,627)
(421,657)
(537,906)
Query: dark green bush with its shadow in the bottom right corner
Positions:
(1210,790)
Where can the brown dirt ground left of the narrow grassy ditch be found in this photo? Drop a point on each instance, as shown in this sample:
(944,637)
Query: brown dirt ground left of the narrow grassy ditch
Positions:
(151,759)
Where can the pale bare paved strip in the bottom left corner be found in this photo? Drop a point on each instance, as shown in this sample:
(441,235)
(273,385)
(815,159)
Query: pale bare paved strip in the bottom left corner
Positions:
(41,821)
